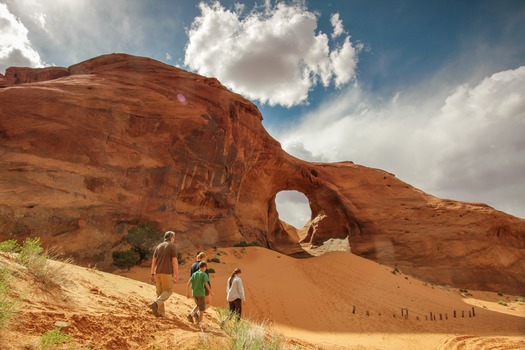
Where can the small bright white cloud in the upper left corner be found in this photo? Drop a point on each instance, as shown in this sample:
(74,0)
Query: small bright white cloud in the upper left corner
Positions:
(15,47)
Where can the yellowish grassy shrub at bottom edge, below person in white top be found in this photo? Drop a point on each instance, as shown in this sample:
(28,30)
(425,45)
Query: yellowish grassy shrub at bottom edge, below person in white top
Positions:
(247,334)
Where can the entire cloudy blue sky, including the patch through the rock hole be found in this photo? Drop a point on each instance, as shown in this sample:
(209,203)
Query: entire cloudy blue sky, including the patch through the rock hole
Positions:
(432,91)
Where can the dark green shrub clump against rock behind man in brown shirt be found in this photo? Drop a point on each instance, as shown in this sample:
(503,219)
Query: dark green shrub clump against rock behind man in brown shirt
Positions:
(143,239)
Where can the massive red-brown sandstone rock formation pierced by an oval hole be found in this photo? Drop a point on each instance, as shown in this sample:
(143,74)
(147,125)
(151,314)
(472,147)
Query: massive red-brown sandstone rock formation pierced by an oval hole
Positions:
(88,151)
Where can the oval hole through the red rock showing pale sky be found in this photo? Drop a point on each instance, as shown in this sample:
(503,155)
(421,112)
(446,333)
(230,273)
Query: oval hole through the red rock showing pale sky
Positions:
(293,208)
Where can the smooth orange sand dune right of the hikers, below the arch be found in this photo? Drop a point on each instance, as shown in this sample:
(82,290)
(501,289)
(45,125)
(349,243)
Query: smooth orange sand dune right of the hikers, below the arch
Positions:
(342,299)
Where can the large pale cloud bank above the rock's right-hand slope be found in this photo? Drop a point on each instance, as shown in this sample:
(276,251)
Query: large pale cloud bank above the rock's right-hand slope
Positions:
(467,145)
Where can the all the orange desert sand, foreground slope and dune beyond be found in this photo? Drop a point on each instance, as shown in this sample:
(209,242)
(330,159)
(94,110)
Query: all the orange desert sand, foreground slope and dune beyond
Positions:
(334,301)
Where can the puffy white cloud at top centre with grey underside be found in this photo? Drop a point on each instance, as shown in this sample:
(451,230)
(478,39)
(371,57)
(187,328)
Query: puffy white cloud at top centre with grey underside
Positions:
(273,54)
